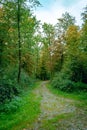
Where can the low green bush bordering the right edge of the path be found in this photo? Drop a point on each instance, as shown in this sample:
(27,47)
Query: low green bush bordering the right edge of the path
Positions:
(63,83)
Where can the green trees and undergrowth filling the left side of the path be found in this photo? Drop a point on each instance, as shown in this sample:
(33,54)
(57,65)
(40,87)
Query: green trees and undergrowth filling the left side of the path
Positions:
(15,18)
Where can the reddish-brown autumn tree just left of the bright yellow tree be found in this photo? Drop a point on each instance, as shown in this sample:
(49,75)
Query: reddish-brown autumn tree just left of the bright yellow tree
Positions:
(57,53)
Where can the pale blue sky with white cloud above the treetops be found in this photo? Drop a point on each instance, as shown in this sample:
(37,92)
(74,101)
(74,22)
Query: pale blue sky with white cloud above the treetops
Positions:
(51,10)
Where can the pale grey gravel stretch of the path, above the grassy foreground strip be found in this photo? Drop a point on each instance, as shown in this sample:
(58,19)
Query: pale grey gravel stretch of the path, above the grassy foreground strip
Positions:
(51,105)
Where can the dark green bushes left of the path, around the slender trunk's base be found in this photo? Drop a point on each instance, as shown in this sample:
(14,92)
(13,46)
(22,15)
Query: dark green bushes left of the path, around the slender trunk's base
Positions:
(9,86)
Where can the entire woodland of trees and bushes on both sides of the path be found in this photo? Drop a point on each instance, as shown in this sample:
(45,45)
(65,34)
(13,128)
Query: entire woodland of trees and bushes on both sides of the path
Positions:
(30,50)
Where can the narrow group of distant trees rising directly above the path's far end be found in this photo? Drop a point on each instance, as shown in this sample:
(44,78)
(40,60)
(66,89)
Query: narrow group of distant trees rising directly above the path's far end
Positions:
(48,37)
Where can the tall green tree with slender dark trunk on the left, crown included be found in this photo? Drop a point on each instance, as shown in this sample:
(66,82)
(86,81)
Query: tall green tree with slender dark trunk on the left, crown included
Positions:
(17,18)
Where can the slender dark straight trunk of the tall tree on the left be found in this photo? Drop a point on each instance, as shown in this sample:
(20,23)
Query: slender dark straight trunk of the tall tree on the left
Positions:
(19,43)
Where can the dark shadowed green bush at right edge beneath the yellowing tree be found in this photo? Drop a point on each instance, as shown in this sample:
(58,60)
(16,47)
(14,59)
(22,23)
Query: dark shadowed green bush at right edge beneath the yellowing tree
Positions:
(76,68)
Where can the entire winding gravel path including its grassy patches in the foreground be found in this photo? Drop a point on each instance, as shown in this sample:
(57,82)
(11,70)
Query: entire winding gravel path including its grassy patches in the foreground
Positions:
(58,113)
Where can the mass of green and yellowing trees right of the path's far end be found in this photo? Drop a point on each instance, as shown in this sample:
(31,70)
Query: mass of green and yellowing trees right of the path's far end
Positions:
(63,52)
